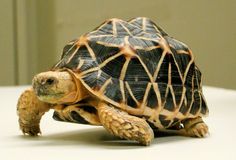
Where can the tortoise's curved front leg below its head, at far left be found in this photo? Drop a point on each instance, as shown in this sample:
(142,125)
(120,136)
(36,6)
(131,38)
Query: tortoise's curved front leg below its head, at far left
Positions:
(30,111)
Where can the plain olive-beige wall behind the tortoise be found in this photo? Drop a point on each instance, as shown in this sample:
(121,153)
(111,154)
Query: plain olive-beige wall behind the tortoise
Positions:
(33,33)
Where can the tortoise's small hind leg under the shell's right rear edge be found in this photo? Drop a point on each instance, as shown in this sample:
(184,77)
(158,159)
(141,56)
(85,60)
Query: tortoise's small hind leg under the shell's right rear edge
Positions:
(195,127)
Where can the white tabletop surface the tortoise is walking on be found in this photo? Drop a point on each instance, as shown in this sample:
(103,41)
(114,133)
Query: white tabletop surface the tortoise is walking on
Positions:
(75,141)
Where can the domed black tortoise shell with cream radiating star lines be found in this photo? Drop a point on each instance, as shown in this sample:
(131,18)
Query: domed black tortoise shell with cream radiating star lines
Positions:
(138,68)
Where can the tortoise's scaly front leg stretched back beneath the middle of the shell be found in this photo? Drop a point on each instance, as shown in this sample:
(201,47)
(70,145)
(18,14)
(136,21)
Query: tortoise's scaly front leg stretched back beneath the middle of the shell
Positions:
(124,125)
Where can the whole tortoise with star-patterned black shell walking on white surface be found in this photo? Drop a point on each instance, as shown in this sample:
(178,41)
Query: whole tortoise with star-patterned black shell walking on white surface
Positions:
(129,76)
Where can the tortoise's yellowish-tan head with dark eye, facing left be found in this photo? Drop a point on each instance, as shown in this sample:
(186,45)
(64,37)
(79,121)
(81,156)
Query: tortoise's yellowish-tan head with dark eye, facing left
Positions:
(58,87)
